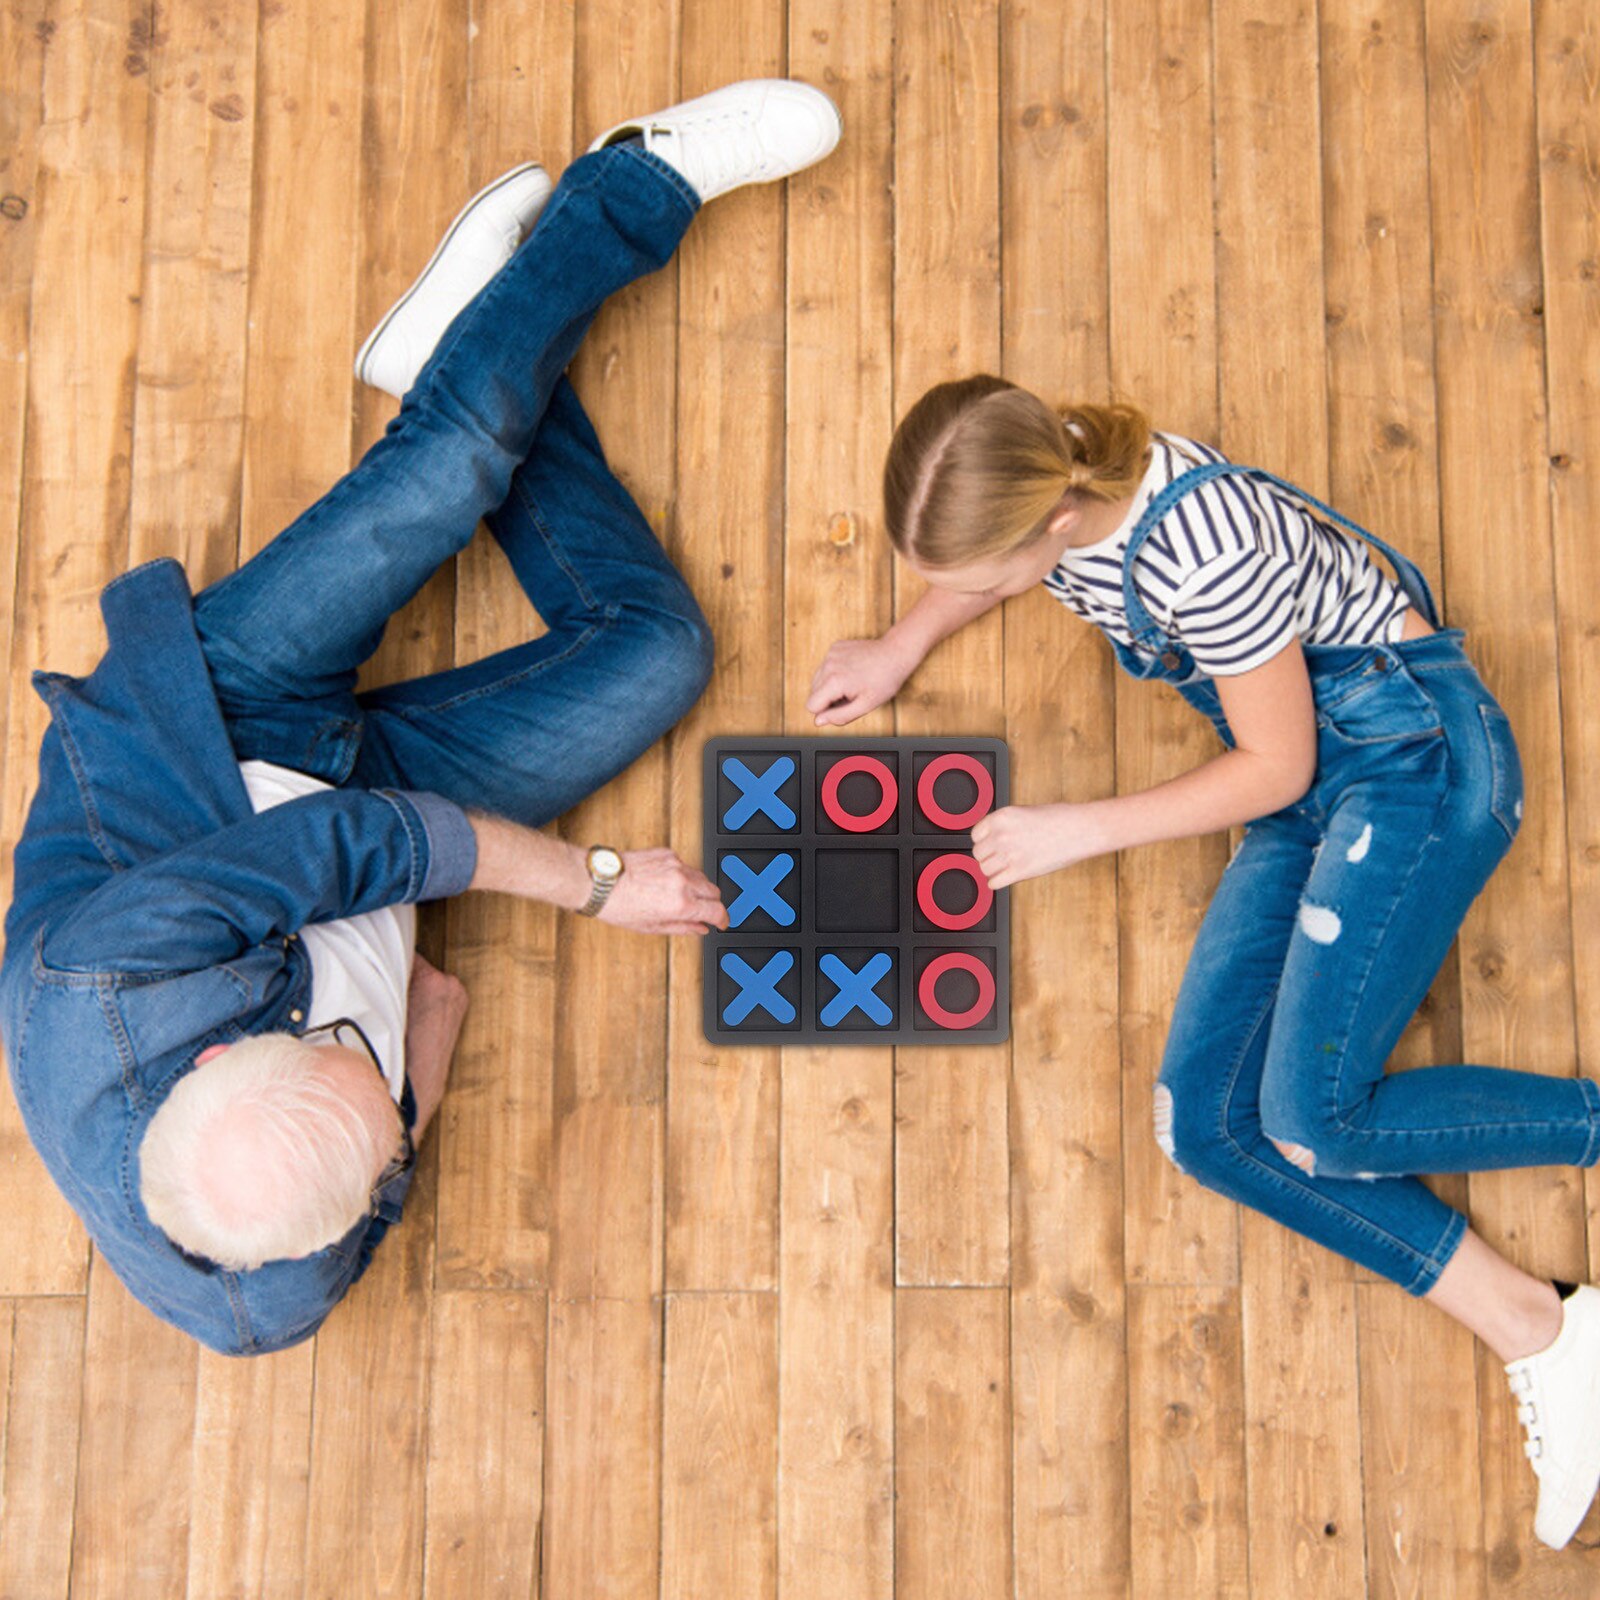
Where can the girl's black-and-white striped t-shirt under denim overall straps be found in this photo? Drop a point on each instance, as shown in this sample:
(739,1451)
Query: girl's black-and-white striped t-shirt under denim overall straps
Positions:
(1234,572)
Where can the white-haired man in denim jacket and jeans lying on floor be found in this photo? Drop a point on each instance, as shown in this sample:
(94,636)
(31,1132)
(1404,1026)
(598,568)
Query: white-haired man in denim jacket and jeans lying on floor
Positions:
(218,1034)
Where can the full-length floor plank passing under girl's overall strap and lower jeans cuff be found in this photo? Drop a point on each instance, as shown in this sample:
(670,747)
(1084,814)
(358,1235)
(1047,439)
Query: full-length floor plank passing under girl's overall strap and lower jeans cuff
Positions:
(1385,471)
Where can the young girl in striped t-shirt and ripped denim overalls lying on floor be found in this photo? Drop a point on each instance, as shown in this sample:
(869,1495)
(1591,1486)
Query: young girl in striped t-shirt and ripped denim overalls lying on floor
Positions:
(1380,786)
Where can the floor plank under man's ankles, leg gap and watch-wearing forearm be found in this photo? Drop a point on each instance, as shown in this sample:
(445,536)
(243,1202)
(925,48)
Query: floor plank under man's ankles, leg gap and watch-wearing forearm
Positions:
(495,1130)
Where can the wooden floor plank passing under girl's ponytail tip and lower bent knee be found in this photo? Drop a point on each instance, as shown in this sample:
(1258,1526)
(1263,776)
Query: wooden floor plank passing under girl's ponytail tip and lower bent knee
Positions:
(1164,358)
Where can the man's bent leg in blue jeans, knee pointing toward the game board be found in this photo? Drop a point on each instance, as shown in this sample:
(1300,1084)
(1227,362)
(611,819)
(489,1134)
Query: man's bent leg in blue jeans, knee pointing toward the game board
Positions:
(532,730)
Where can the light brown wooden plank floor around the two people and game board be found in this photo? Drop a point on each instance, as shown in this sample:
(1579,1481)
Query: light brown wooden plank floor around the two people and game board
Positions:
(686,1322)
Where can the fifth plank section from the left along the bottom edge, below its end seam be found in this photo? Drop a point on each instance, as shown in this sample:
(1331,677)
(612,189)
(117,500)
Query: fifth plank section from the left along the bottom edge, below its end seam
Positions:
(486,1446)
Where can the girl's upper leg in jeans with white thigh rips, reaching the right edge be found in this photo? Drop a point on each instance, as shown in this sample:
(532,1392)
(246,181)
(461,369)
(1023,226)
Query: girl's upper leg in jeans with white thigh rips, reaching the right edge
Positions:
(1406,855)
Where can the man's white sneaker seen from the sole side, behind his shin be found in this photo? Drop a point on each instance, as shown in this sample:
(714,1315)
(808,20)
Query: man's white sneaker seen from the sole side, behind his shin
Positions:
(481,242)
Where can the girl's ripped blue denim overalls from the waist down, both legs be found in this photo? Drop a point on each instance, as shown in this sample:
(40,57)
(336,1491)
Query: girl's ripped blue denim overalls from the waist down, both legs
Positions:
(1322,940)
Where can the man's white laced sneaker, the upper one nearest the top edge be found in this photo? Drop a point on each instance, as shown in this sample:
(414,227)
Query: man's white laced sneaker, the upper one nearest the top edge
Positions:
(746,134)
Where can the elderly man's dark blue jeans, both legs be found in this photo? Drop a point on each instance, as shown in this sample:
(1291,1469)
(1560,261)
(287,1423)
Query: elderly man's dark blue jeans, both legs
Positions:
(492,430)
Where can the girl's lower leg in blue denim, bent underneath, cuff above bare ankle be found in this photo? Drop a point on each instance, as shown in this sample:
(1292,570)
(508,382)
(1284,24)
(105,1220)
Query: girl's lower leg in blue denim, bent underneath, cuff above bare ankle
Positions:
(1209,1111)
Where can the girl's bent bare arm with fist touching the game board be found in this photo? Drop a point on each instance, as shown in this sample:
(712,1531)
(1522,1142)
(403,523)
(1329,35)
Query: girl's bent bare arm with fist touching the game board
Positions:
(1273,718)
